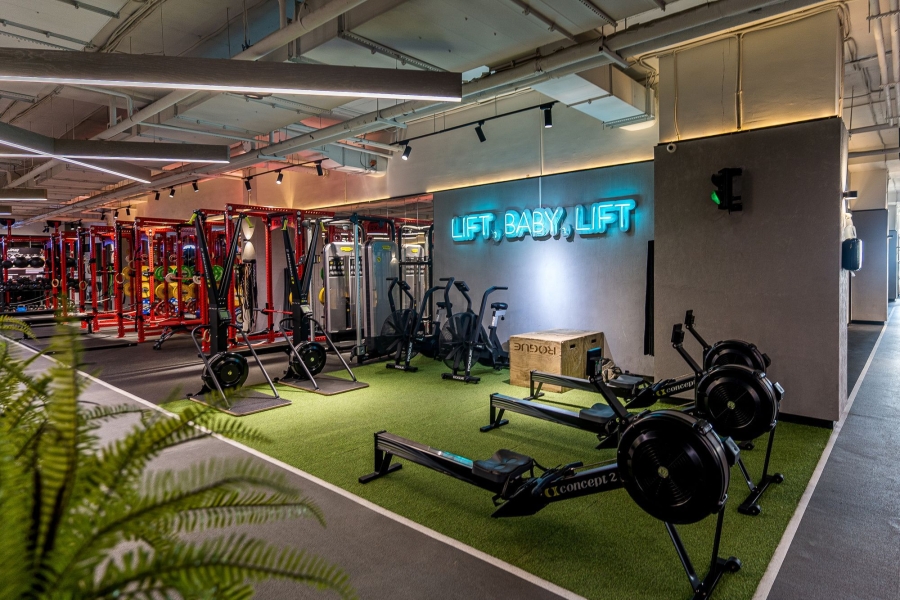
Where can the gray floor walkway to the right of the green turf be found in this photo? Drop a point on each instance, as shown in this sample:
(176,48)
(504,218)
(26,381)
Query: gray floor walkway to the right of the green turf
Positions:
(847,545)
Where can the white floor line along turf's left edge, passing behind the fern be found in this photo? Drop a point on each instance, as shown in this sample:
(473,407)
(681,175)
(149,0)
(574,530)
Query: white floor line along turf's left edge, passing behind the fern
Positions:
(496,562)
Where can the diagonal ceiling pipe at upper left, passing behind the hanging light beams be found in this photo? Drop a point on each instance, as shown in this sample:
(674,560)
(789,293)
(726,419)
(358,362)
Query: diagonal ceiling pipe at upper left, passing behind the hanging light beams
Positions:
(265,46)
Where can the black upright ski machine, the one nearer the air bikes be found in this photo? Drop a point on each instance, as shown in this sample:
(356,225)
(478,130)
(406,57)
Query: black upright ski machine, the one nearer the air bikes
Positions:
(306,356)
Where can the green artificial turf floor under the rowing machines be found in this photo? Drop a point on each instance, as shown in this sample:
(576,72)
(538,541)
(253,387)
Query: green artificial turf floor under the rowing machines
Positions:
(601,546)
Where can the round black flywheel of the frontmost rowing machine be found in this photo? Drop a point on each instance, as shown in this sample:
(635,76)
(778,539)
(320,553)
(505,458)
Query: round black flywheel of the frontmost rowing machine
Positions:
(674,466)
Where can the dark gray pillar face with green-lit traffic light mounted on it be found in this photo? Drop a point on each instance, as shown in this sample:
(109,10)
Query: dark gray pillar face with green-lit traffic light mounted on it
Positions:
(770,274)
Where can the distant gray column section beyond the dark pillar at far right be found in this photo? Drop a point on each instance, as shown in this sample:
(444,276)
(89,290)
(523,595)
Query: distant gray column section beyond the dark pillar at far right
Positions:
(869,285)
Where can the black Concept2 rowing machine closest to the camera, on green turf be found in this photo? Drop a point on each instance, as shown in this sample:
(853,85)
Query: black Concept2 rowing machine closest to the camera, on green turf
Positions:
(671,463)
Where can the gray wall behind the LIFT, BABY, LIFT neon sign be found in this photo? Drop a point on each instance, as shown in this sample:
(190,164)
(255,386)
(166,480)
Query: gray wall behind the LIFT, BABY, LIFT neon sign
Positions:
(596,282)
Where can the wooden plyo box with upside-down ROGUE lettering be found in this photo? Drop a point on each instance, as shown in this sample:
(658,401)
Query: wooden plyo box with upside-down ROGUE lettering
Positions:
(557,351)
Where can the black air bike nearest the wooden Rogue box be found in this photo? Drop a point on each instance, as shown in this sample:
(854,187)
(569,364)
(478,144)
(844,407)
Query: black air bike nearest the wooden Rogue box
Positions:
(465,342)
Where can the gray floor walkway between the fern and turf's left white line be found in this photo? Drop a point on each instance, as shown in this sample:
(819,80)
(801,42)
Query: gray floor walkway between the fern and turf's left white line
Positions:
(386,559)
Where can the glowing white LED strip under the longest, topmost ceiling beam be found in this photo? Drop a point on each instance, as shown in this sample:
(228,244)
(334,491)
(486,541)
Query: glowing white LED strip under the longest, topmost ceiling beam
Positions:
(225,88)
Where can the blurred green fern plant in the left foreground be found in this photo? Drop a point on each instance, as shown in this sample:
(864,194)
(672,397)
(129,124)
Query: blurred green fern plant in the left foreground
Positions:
(80,518)
